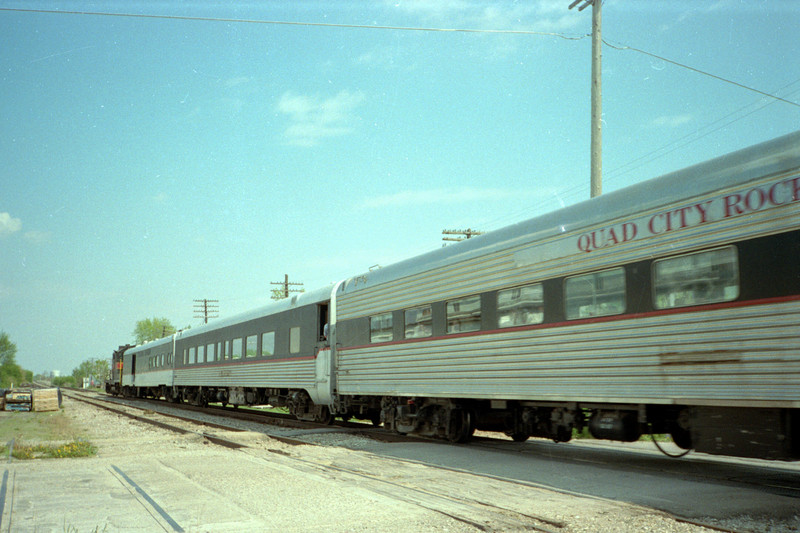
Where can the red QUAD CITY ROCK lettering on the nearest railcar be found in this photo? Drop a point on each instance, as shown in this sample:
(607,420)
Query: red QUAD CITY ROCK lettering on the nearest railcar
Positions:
(739,203)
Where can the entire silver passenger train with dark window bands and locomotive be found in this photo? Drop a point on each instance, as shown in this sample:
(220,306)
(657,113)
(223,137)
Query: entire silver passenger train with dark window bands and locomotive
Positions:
(671,306)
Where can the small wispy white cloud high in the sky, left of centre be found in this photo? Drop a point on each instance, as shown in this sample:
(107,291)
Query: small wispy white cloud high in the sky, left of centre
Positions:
(313,118)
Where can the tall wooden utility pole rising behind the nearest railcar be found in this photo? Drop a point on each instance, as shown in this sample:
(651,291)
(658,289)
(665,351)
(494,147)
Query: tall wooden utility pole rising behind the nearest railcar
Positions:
(596,179)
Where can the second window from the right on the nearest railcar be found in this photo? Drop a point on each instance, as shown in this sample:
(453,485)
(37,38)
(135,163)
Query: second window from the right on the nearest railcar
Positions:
(596,294)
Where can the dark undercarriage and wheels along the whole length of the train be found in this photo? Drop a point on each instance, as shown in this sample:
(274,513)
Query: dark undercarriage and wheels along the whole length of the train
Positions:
(763,433)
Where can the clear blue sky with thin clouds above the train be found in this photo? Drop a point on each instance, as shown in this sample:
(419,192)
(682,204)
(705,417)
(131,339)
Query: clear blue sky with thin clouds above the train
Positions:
(146,162)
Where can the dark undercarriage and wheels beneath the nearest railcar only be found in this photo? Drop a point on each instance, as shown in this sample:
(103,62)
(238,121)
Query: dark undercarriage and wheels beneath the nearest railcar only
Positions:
(743,432)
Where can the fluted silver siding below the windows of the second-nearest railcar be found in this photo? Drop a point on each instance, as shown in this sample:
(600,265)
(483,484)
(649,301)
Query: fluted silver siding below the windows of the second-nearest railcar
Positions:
(277,374)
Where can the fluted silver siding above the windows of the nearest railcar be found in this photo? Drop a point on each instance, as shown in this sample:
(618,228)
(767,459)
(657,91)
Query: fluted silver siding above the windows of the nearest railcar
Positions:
(498,267)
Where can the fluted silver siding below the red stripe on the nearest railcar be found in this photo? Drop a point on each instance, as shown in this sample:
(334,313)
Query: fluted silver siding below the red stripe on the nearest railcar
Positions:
(732,356)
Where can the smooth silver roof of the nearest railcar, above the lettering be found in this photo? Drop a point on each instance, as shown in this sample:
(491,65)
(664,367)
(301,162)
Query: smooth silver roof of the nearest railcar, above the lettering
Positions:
(725,171)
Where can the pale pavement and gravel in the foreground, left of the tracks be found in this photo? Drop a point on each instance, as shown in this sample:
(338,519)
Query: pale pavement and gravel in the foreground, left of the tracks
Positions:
(213,490)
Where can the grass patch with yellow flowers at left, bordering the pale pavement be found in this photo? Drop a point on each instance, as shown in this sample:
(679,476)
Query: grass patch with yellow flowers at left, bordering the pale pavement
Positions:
(40,435)
